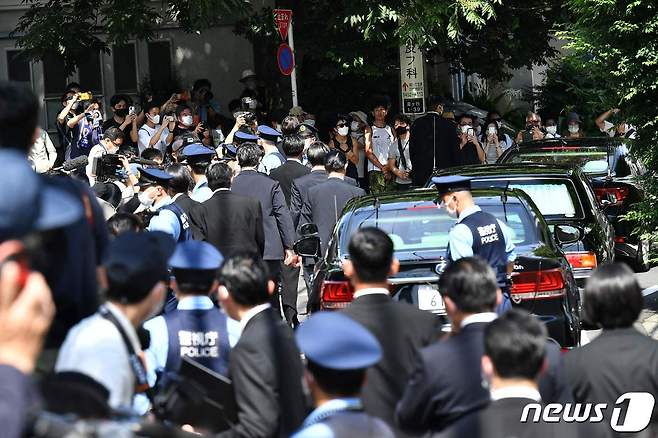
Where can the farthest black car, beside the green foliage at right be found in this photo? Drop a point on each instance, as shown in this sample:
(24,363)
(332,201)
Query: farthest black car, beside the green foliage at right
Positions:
(612,172)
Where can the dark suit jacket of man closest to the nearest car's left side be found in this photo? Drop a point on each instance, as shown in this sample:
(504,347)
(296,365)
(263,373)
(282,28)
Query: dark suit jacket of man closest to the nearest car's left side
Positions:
(325,204)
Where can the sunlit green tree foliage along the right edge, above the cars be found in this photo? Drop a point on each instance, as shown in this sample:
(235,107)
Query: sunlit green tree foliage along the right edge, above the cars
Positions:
(616,41)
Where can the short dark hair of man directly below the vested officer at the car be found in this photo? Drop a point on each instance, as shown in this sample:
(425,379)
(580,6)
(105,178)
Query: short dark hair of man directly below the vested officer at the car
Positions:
(471,284)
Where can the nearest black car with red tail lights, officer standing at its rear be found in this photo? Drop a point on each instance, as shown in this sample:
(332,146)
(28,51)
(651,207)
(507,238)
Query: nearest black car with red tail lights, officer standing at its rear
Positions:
(542,281)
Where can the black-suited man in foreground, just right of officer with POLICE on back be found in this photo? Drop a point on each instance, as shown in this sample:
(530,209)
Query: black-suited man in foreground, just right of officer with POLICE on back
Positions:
(265,364)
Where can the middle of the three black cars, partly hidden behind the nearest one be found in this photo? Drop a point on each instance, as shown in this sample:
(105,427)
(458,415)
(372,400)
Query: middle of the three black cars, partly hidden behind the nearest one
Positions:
(564,197)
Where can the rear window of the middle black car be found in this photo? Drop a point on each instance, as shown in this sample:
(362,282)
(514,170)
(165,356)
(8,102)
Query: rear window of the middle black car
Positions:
(555,197)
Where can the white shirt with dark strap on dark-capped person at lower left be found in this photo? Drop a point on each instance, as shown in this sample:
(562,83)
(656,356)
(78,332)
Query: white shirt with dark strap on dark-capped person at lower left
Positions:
(94,347)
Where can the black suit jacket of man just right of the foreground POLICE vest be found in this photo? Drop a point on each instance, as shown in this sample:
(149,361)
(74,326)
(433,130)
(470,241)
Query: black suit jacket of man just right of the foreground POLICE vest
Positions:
(267,373)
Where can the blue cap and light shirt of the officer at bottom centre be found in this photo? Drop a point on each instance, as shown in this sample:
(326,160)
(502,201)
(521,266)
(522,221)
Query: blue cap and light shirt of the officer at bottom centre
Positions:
(346,346)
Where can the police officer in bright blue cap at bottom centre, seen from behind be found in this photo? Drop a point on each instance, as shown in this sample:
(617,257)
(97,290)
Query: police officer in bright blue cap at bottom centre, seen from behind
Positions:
(338,351)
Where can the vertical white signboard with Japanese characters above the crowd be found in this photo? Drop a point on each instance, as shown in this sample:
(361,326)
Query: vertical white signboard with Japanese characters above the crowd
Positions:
(412,79)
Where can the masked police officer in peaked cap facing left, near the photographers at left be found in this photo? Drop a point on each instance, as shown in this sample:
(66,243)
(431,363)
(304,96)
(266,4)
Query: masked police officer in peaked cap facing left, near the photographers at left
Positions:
(168,216)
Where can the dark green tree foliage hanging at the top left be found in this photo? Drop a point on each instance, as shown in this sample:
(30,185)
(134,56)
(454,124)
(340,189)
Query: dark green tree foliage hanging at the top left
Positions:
(72,27)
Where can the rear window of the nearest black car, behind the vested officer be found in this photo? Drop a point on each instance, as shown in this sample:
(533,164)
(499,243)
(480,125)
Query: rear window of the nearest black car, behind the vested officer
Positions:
(421,227)
